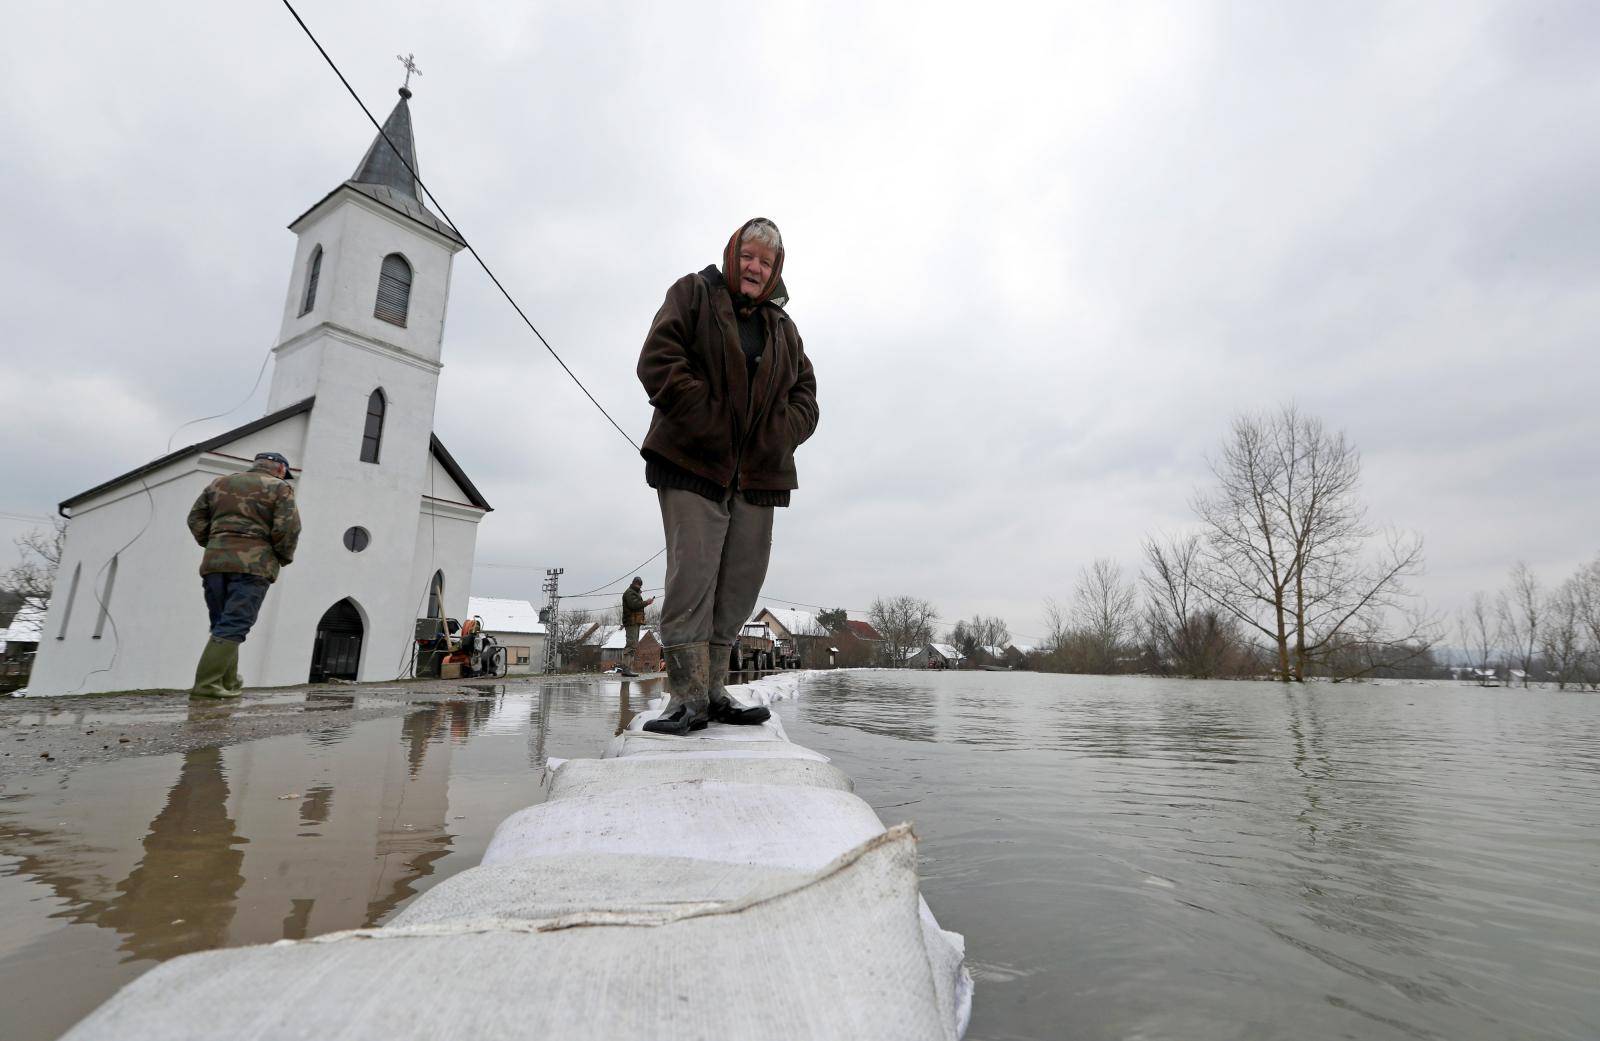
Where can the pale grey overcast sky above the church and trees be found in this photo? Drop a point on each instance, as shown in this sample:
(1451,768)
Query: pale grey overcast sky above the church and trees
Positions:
(1041,257)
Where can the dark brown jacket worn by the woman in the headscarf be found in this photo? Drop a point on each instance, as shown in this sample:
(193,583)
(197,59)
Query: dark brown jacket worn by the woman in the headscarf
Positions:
(708,420)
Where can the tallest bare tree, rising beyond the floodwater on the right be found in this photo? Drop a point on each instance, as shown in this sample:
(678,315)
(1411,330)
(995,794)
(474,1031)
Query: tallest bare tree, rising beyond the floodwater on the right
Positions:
(1287,546)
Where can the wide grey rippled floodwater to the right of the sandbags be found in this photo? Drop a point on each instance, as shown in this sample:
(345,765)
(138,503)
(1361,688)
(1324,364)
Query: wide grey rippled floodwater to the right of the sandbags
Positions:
(1137,858)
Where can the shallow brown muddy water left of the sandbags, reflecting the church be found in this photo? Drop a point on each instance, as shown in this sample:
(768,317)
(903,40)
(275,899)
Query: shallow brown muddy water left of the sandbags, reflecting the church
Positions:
(110,869)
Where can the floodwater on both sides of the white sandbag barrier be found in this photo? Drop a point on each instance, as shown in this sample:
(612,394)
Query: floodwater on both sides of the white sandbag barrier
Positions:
(1127,858)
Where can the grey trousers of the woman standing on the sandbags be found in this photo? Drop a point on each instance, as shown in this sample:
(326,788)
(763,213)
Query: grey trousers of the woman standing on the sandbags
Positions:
(716,565)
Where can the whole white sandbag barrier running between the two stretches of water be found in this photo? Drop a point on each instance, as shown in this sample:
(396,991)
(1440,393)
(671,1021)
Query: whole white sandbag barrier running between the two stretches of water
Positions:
(724,885)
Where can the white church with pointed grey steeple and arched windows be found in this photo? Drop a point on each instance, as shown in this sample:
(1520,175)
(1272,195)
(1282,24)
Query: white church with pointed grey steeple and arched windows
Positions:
(390,517)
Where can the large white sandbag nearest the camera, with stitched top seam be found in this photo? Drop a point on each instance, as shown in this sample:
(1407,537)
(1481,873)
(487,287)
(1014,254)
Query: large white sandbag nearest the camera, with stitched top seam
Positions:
(842,955)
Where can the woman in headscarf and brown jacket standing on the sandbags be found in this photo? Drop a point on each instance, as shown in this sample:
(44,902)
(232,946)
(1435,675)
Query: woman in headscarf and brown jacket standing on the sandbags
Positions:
(735,396)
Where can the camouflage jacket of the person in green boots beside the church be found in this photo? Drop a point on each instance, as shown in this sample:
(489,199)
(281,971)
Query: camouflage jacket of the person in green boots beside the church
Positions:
(247,524)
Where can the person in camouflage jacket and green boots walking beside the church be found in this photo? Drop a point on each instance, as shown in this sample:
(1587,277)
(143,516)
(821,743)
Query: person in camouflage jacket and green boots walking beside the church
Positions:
(249,525)
